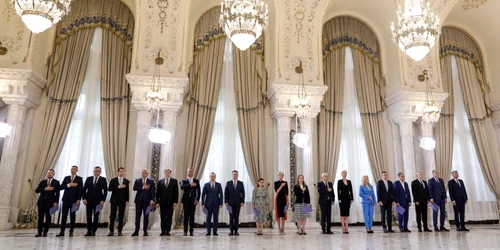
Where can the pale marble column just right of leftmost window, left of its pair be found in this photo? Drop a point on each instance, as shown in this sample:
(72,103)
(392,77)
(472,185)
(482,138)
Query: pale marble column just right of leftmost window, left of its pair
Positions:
(142,154)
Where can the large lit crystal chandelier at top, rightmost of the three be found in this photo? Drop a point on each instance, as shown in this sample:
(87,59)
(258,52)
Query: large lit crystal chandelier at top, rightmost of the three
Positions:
(417,29)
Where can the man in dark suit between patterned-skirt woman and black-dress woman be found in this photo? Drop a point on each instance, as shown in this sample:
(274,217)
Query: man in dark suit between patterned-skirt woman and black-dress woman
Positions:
(326,201)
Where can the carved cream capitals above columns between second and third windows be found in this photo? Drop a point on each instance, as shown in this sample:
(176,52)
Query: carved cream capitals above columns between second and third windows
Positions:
(283,97)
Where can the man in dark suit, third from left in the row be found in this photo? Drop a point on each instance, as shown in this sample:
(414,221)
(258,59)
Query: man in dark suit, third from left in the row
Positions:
(95,192)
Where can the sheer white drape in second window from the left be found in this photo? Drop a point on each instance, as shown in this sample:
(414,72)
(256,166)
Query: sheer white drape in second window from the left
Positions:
(226,153)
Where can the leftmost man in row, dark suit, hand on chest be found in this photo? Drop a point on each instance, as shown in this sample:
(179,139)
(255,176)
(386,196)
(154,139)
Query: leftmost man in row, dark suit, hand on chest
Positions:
(49,190)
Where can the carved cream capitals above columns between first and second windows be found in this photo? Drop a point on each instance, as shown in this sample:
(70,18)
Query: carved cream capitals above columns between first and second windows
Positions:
(172,89)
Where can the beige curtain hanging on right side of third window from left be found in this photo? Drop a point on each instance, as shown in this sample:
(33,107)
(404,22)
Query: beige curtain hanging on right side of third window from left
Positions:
(370,89)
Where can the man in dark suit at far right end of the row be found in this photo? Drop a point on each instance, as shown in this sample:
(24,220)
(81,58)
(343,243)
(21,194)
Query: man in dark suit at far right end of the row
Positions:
(458,196)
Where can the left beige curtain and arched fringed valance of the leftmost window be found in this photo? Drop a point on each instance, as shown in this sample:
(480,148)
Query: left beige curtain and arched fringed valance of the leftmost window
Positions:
(69,63)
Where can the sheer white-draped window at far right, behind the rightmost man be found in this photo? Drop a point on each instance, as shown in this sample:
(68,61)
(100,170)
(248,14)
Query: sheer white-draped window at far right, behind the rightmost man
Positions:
(482,202)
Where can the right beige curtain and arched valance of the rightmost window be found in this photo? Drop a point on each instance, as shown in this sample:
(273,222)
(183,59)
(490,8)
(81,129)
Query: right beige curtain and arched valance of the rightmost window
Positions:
(455,42)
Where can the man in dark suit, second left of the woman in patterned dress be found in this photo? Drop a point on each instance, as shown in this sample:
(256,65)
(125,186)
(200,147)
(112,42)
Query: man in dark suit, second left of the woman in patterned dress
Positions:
(211,199)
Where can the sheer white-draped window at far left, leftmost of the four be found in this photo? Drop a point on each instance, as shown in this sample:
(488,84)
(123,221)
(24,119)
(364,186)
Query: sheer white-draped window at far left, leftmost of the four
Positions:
(83,145)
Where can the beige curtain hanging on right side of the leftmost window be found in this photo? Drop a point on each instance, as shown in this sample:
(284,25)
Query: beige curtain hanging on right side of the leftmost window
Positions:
(115,92)
